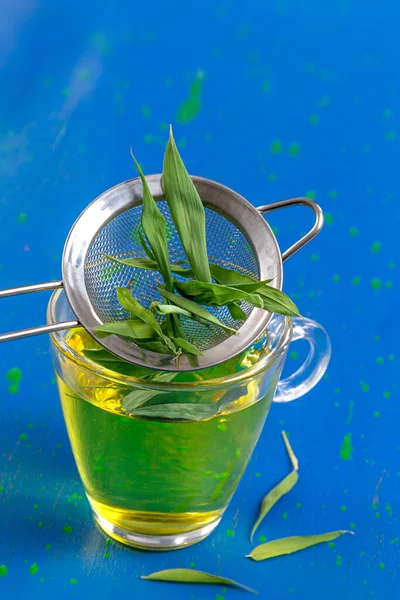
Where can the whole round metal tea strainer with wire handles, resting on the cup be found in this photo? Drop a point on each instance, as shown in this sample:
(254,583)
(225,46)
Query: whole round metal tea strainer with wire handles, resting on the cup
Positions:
(238,237)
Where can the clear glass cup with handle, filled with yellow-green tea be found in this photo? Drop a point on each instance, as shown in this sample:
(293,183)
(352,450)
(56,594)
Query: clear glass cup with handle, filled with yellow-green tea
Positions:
(160,459)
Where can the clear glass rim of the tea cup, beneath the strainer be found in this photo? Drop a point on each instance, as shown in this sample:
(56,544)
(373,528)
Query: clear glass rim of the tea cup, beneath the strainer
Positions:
(92,367)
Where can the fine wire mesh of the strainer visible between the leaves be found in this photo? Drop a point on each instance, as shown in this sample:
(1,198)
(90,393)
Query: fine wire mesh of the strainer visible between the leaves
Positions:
(226,245)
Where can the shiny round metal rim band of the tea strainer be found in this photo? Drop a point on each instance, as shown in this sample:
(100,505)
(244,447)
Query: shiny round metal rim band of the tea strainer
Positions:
(128,194)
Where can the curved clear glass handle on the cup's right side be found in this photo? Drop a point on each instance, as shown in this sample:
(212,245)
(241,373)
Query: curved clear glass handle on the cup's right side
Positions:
(315,365)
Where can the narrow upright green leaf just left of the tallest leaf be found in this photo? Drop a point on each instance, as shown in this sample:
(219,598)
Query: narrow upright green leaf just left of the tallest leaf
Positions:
(155,229)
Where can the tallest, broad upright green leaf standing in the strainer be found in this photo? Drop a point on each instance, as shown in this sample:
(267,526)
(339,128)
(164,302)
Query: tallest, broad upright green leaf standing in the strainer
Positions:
(187,211)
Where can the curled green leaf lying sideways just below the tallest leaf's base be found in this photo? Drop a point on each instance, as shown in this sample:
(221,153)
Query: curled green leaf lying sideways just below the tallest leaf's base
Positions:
(215,294)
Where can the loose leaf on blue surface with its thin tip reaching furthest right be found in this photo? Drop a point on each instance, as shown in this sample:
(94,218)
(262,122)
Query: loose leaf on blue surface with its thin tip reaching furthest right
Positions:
(292,544)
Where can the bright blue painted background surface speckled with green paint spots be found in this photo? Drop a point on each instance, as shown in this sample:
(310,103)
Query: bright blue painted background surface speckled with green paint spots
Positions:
(75,78)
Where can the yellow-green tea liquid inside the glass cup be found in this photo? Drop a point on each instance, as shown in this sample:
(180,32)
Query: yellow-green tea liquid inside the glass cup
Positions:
(158,476)
